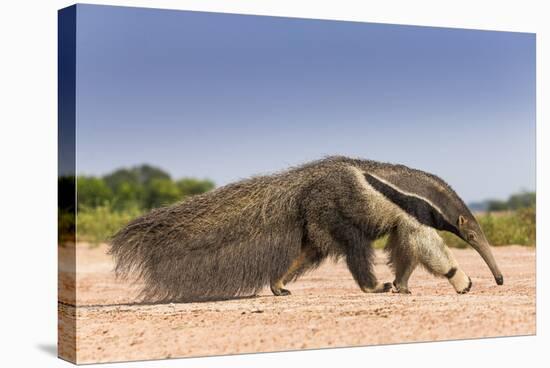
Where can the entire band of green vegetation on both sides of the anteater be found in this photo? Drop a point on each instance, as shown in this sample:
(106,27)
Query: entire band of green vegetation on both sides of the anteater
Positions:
(107,203)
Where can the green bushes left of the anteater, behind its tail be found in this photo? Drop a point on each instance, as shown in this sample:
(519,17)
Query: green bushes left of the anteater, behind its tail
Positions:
(105,204)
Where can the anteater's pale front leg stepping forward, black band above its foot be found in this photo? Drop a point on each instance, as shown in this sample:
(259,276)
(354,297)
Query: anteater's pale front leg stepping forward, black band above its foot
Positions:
(437,258)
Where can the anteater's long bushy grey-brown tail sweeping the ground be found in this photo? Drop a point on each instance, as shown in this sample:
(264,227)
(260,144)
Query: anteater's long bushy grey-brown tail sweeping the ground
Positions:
(180,264)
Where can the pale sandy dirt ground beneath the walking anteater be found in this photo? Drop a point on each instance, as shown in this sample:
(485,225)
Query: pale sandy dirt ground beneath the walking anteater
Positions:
(326,309)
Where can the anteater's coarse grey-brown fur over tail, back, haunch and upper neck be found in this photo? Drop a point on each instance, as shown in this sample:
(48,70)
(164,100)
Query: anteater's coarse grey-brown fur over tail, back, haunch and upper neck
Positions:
(239,238)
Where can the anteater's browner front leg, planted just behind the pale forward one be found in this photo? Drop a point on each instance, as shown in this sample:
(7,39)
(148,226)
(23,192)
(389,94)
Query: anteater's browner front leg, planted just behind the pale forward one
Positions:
(402,259)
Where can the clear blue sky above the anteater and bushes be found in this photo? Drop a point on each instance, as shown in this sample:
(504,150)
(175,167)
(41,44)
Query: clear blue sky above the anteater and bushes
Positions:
(228,96)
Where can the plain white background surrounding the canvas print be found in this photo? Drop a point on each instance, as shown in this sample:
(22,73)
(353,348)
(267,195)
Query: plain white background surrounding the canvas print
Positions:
(28,180)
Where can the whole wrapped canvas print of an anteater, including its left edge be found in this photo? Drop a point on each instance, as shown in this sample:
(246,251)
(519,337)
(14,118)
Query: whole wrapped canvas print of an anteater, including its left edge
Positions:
(237,184)
